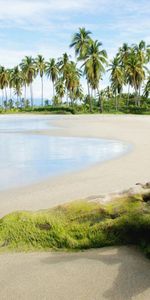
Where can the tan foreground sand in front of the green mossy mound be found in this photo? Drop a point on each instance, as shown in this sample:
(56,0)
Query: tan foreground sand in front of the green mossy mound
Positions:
(119,273)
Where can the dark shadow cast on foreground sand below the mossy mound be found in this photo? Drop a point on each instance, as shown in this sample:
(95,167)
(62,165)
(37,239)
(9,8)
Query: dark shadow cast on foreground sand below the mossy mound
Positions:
(133,269)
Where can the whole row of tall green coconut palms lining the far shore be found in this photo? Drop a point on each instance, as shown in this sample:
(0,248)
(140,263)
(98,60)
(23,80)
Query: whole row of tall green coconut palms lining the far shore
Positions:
(128,69)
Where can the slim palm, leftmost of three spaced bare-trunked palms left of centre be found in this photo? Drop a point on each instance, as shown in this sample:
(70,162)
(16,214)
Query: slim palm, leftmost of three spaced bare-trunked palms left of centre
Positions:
(28,67)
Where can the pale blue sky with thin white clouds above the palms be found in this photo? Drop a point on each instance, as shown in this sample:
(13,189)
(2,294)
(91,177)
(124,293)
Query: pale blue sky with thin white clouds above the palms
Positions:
(46,27)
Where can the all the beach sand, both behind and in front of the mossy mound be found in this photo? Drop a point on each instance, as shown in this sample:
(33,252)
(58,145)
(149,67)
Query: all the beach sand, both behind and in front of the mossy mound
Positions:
(120,273)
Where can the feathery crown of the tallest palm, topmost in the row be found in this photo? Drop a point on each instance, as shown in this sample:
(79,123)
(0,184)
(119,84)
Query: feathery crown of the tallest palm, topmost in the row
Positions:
(80,41)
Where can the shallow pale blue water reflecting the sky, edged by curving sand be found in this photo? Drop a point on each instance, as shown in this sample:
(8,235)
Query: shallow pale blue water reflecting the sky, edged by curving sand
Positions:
(26,158)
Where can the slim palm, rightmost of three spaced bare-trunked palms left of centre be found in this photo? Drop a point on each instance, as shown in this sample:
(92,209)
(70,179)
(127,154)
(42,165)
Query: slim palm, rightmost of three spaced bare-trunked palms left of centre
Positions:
(51,71)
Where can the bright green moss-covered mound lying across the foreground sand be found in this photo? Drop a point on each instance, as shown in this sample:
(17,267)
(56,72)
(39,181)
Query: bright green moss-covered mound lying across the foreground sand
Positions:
(80,225)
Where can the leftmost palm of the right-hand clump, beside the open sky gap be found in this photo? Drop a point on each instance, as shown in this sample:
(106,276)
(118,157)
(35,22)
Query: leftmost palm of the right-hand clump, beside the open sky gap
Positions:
(116,77)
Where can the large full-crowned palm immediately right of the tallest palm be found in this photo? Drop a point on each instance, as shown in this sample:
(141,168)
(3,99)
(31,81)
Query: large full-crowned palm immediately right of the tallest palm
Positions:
(94,65)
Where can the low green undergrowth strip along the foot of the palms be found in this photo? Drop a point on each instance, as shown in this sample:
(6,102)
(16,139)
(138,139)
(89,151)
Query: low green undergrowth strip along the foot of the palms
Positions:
(108,108)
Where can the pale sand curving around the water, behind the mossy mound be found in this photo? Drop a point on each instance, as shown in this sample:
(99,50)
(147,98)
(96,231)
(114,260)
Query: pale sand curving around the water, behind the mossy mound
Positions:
(111,176)
